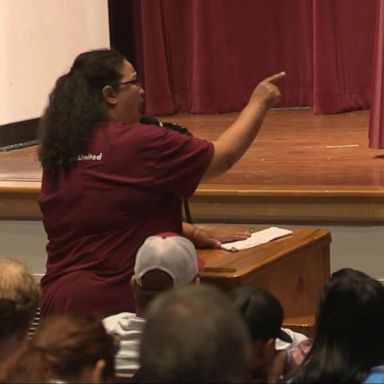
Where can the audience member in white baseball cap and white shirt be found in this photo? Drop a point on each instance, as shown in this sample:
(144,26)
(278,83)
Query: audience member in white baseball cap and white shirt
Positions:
(162,262)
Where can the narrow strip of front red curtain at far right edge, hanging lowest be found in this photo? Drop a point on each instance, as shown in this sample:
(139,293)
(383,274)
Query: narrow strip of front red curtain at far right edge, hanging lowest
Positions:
(376,120)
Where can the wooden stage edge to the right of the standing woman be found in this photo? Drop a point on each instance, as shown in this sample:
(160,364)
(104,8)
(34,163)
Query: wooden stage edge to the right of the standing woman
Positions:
(289,206)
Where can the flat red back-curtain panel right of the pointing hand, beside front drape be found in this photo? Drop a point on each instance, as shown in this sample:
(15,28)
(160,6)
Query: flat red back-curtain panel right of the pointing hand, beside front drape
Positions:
(343,49)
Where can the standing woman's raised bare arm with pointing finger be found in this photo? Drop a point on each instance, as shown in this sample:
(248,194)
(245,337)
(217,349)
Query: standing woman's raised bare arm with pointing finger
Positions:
(236,139)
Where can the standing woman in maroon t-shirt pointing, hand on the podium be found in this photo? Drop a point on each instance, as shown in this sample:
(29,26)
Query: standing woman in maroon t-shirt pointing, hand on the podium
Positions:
(110,181)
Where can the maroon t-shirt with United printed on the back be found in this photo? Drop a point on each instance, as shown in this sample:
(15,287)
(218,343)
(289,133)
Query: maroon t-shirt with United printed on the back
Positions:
(126,186)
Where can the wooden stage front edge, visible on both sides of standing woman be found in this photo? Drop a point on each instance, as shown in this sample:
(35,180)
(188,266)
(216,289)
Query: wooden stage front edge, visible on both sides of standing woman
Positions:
(18,201)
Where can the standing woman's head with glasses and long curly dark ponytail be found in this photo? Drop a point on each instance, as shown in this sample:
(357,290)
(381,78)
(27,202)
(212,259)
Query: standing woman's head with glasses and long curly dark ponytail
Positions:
(101,85)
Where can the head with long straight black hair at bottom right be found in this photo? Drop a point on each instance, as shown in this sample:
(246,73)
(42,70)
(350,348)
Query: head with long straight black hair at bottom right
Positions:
(349,337)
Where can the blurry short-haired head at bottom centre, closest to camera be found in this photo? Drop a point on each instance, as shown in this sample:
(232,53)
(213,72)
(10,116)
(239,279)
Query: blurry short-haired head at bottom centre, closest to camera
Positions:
(194,335)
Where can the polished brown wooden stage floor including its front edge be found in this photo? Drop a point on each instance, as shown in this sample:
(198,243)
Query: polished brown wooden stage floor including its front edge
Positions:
(302,168)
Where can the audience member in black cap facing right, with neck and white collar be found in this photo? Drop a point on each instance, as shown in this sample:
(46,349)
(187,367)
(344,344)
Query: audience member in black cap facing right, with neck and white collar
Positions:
(264,315)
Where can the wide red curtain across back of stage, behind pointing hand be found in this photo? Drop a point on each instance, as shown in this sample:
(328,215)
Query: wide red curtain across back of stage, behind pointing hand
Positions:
(206,56)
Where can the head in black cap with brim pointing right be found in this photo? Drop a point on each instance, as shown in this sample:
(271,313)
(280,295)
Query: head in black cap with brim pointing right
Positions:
(263,315)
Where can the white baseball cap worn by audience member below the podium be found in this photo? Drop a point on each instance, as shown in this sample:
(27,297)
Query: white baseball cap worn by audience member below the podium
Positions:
(170,253)
